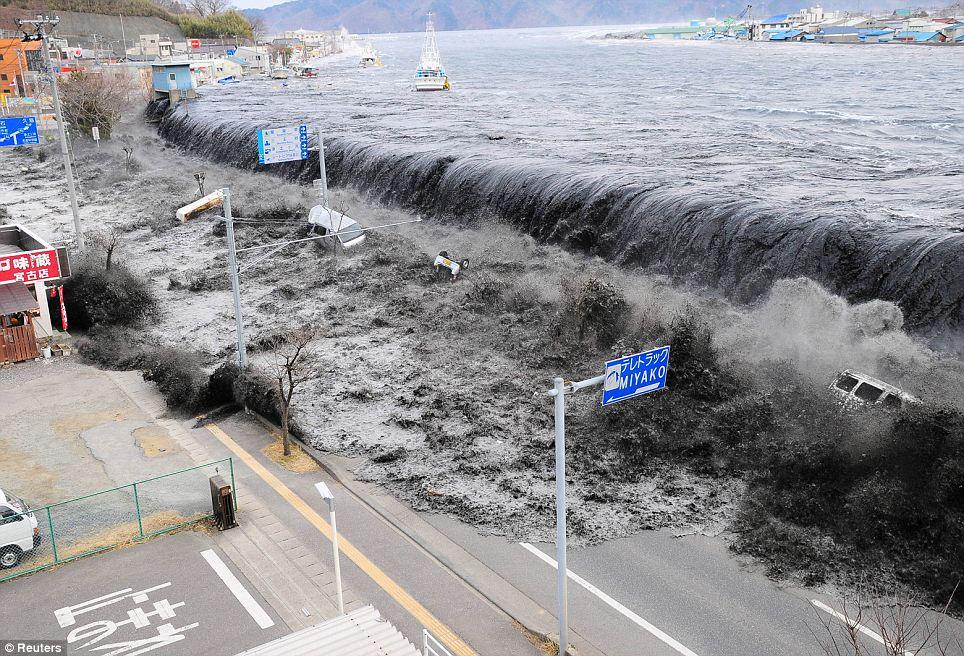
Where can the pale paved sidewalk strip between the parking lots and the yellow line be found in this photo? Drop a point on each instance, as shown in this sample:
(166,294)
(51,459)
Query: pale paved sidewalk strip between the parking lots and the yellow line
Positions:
(289,575)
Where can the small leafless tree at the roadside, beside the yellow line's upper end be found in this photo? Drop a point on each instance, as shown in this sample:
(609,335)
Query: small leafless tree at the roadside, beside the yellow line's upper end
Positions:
(294,362)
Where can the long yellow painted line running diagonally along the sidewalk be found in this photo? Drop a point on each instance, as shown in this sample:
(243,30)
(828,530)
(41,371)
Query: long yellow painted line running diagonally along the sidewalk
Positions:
(444,634)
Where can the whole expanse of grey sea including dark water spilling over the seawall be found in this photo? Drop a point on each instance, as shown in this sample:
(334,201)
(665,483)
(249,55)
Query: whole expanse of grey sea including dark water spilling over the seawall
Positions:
(734,164)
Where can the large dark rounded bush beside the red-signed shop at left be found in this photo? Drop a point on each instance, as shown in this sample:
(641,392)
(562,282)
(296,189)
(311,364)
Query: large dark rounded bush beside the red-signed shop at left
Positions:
(118,297)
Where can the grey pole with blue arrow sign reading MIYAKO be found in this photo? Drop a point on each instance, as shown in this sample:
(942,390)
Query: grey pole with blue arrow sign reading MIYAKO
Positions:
(625,378)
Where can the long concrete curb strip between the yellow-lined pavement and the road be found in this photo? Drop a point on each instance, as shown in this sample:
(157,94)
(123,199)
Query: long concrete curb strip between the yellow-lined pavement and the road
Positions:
(477,575)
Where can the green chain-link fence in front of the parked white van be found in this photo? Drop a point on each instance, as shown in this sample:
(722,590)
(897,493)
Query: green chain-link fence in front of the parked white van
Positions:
(32,539)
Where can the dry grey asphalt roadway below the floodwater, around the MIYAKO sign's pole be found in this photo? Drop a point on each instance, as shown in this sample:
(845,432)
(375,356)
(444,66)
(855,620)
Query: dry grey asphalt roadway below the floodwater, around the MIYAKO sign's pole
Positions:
(691,589)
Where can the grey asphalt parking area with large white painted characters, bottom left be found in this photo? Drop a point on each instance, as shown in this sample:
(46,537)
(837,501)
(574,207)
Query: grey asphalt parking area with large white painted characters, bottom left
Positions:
(182,593)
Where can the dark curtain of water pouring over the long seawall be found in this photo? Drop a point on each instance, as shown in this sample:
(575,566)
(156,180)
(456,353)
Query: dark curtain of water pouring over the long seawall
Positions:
(740,245)
